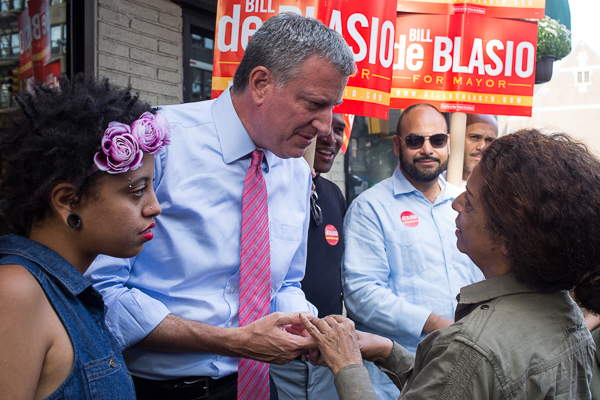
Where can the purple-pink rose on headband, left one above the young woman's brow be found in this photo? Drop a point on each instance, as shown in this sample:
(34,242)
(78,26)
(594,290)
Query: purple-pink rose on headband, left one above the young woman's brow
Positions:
(120,150)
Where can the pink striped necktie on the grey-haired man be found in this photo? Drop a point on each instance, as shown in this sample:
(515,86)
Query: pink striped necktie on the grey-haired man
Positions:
(255,275)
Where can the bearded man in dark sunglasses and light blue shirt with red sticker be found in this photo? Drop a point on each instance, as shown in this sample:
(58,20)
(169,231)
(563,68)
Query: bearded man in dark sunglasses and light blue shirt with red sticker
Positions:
(402,269)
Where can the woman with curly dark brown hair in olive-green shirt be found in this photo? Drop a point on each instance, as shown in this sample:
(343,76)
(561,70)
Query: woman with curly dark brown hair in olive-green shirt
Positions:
(530,220)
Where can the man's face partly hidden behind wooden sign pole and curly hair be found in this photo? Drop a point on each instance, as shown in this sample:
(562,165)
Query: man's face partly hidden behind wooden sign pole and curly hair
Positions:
(481,131)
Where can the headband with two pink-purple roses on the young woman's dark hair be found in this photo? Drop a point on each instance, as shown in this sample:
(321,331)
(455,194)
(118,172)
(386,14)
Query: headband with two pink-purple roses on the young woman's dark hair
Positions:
(123,146)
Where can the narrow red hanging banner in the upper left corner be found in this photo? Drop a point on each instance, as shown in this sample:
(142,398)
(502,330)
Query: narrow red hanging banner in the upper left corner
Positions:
(39,16)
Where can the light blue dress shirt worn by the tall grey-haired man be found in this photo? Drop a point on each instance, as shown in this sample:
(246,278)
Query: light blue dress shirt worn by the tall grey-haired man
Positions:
(191,268)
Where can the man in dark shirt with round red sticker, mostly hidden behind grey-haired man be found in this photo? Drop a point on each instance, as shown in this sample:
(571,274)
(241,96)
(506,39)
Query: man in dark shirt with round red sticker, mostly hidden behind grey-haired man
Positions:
(299,380)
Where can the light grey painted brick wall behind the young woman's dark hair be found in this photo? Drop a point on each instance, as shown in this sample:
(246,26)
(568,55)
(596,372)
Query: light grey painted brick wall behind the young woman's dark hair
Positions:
(140,43)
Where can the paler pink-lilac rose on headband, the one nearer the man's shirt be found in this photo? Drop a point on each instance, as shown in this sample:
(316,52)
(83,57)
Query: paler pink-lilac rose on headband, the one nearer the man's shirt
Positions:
(152,132)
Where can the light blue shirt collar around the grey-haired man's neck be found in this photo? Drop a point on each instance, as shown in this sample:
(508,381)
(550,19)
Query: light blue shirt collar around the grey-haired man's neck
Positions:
(234,139)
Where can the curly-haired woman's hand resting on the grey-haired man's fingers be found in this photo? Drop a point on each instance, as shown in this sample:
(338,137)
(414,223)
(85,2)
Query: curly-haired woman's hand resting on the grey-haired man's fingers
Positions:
(337,340)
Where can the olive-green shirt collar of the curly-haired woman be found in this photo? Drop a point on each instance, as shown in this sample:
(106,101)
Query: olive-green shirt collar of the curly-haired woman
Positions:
(502,285)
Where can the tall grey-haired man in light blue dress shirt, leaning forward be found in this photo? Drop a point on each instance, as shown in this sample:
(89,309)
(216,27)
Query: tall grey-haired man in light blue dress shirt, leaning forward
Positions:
(174,308)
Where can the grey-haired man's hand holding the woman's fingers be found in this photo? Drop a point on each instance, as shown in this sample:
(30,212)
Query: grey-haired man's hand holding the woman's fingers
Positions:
(276,338)
